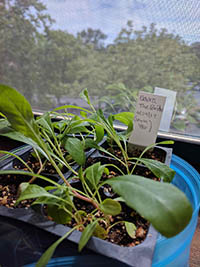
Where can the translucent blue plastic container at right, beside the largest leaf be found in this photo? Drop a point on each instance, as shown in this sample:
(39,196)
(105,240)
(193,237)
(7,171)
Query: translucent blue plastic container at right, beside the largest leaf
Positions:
(174,252)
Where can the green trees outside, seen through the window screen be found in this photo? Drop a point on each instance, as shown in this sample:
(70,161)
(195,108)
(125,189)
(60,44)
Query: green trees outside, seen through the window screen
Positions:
(39,60)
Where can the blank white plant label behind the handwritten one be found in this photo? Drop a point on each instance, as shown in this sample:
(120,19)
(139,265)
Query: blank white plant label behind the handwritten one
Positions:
(168,109)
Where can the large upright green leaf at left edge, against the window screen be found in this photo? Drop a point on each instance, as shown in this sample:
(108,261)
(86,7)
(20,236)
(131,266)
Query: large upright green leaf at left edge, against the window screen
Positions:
(18,112)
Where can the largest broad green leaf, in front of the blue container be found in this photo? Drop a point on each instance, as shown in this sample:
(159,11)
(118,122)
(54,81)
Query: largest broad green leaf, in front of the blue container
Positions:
(164,205)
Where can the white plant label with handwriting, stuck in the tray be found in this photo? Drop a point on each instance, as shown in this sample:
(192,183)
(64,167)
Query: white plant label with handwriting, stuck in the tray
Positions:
(148,113)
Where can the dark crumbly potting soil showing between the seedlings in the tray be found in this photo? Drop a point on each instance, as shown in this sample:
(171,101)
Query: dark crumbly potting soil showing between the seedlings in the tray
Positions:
(9,192)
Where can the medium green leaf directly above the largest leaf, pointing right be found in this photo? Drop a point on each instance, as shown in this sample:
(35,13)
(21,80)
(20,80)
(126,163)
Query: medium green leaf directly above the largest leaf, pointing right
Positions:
(159,169)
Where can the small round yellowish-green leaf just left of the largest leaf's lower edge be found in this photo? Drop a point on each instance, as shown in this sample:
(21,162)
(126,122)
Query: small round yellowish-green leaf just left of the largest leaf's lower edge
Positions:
(110,207)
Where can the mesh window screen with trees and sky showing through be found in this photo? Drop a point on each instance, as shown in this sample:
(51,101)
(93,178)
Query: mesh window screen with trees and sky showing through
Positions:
(50,50)
